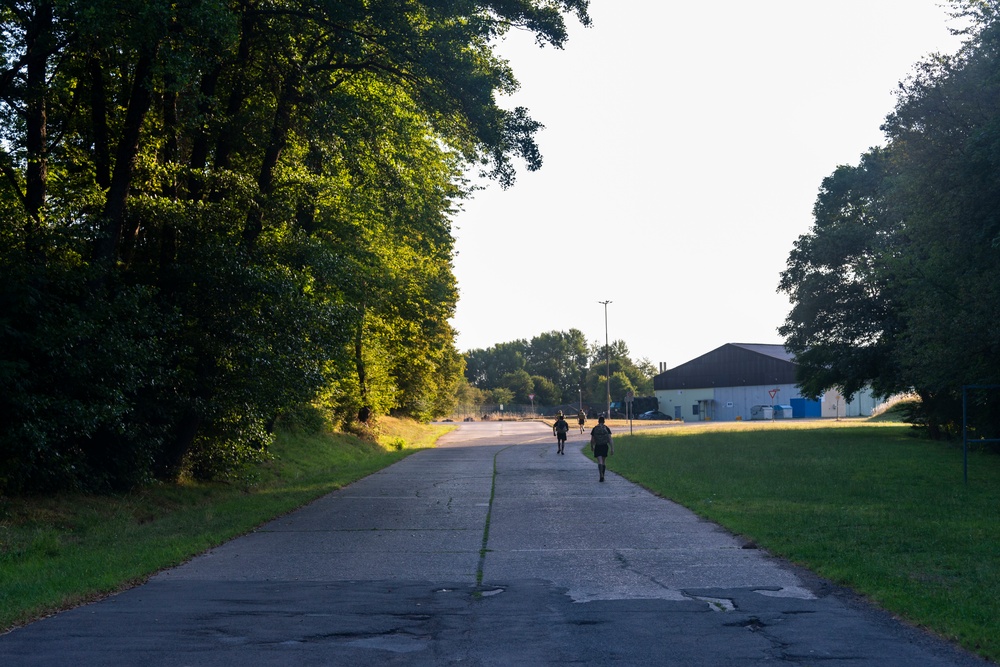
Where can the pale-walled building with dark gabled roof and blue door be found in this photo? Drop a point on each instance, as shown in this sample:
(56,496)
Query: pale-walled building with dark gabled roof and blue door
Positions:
(745,381)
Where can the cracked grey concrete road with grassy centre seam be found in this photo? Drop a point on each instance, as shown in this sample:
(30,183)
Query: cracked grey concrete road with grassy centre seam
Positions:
(488,550)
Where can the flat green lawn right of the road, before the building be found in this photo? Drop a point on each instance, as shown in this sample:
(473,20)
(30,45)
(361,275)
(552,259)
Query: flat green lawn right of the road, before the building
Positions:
(869,506)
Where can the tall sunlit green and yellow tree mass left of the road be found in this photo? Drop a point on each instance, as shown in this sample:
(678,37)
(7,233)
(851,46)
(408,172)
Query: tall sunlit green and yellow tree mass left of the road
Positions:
(216,210)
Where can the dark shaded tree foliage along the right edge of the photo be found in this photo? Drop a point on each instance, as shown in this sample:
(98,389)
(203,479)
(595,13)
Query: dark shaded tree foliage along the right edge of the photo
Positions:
(897,284)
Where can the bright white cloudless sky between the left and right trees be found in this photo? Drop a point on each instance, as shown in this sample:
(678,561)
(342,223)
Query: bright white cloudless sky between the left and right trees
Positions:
(684,146)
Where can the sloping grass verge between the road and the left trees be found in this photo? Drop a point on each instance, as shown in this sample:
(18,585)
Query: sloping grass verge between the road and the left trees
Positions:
(58,552)
